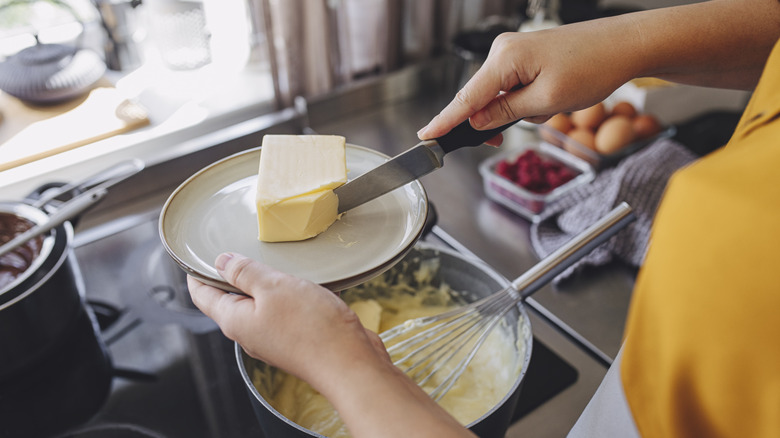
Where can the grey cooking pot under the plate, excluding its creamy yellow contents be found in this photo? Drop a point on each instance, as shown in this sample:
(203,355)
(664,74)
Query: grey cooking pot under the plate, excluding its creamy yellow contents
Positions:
(473,279)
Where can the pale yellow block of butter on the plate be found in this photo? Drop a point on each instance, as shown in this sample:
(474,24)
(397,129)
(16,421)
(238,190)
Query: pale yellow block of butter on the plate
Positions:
(296,178)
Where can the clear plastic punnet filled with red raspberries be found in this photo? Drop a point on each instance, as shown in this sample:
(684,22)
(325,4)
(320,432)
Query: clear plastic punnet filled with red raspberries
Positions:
(533,177)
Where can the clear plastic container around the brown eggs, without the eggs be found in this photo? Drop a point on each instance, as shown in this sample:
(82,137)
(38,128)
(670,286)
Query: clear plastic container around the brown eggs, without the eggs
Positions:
(597,160)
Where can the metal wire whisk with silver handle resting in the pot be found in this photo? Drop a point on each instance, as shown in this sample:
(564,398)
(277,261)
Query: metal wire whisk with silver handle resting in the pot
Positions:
(436,350)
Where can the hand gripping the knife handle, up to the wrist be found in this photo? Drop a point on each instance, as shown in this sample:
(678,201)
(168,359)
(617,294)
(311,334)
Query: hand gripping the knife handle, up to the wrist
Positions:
(534,76)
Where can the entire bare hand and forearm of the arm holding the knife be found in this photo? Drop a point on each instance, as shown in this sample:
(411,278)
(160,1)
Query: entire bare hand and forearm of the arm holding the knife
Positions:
(535,75)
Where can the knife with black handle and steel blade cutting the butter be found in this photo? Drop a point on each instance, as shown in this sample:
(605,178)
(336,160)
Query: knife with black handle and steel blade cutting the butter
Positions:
(425,157)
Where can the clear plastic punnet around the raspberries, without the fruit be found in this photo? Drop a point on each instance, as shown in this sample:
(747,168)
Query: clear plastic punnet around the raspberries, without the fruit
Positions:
(527,203)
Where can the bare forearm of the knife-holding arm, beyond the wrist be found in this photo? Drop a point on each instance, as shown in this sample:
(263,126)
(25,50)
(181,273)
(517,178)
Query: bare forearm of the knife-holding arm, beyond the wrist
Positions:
(717,43)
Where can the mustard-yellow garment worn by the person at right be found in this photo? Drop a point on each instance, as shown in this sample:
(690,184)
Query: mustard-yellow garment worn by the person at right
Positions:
(702,346)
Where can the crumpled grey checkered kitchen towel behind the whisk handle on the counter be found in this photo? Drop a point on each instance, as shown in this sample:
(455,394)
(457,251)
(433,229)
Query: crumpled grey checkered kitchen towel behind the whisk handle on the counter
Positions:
(639,180)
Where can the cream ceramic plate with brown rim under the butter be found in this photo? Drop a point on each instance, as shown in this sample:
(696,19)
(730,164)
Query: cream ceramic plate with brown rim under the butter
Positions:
(214,211)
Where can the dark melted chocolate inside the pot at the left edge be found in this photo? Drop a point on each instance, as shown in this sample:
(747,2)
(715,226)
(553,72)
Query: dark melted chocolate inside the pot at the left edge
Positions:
(13,264)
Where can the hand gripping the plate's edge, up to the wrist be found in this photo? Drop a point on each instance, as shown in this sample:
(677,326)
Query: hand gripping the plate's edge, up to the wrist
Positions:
(285,321)
